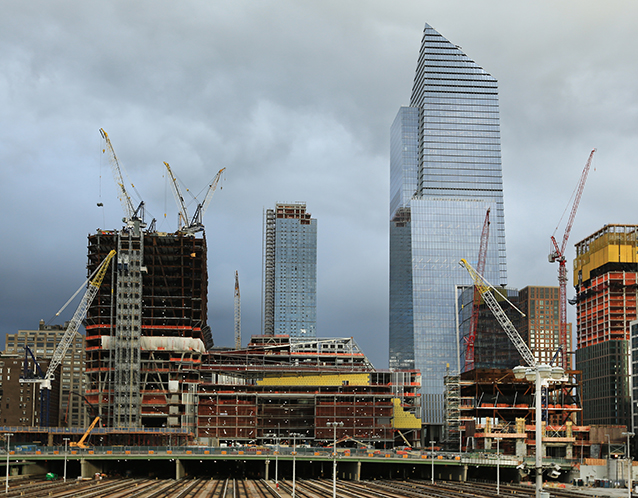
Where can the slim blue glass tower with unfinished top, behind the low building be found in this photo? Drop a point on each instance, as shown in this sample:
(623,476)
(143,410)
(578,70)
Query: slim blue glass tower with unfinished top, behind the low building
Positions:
(290,271)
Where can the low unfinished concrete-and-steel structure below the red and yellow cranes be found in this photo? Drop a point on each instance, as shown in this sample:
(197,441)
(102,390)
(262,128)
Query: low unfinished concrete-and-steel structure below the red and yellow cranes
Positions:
(486,404)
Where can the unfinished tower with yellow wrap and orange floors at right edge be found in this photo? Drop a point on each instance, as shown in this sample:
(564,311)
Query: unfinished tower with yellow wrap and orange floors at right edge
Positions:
(606,277)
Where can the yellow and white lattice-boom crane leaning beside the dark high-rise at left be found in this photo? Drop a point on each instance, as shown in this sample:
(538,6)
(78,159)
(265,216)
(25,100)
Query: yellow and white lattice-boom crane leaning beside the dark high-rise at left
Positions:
(66,341)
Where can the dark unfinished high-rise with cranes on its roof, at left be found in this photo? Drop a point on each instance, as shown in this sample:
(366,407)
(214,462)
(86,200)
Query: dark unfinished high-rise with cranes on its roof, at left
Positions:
(146,327)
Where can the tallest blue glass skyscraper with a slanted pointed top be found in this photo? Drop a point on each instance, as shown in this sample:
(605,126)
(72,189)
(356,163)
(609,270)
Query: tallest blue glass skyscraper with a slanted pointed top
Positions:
(445,174)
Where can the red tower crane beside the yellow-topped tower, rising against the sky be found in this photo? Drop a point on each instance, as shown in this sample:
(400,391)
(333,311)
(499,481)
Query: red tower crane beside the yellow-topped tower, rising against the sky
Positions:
(558,254)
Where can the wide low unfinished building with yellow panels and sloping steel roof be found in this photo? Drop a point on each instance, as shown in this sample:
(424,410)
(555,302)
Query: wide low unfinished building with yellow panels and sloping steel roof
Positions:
(279,387)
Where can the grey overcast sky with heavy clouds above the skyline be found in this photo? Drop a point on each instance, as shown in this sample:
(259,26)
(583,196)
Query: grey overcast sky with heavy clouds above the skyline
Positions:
(295,99)
